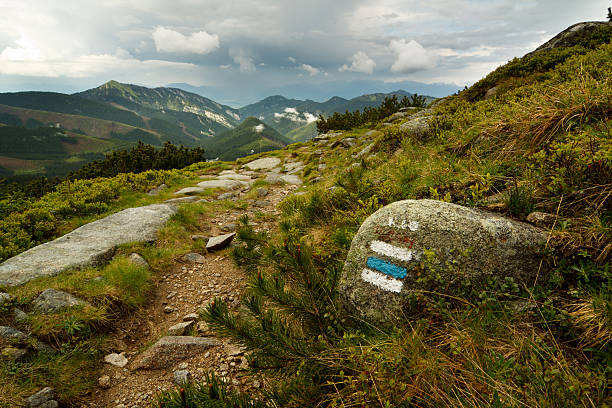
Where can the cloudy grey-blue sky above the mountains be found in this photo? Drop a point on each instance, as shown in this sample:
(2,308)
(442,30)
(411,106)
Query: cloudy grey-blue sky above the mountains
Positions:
(239,51)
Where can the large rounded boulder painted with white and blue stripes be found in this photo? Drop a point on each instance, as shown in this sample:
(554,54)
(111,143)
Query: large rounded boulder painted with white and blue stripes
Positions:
(415,245)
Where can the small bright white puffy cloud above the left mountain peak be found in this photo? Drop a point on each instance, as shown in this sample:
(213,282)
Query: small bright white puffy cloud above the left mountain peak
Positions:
(167,40)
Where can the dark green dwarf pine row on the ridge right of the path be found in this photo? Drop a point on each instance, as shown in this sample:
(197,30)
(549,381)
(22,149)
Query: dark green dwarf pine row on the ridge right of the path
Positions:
(350,120)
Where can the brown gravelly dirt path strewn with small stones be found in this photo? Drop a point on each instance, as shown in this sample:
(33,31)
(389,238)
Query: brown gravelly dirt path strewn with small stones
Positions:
(181,290)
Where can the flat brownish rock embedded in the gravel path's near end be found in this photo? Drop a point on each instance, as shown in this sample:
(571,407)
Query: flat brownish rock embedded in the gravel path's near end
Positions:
(171,349)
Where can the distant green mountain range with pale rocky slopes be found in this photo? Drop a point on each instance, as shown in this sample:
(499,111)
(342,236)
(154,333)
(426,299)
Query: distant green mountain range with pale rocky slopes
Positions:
(116,115)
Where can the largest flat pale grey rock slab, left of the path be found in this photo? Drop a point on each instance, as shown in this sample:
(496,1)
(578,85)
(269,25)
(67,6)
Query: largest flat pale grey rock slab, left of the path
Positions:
(91,244)
